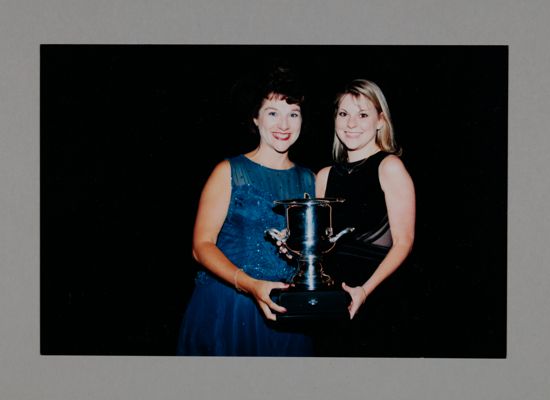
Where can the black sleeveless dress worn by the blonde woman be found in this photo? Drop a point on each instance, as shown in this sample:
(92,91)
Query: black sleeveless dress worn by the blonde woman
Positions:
(354,259)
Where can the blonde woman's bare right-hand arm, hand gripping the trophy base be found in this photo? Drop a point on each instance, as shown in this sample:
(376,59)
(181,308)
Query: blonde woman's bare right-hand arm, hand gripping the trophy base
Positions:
(400,201)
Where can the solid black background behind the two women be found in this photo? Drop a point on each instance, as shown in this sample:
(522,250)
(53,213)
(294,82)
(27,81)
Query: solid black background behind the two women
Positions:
(130,133)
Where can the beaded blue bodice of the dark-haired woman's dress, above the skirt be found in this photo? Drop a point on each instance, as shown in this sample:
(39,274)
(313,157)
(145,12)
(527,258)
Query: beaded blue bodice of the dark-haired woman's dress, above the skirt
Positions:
(254,188)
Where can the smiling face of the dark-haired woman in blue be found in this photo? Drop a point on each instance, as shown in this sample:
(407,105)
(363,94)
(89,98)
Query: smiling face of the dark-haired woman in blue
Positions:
(279,123)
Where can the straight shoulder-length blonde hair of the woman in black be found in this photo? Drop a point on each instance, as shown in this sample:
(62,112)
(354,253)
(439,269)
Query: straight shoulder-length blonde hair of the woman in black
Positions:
(385,136)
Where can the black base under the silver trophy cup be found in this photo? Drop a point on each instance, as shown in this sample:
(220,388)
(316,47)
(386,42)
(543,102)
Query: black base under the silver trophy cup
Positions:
(304,305)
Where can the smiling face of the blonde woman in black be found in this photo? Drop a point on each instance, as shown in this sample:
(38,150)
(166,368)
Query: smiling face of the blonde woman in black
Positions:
(357,121)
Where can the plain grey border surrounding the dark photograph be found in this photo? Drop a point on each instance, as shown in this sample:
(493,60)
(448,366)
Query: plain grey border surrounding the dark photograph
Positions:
(27,375)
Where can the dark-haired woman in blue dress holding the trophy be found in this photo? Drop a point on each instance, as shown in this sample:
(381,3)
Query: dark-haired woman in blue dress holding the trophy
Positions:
(230,312)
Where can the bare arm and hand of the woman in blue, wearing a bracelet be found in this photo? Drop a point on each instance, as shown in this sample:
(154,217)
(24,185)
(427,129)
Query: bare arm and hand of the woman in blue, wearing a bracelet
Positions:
(211,214)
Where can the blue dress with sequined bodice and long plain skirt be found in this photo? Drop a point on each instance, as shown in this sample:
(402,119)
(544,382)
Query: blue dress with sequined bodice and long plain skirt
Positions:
(219,320)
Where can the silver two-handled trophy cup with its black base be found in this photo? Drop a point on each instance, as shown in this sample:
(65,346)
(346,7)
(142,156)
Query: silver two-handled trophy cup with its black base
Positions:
(308,236)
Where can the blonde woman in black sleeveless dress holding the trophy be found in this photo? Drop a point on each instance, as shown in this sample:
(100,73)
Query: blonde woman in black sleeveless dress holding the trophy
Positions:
(379,193)
